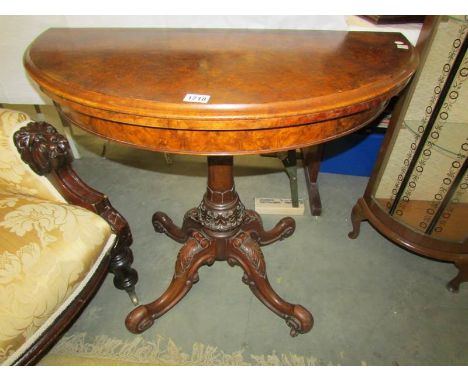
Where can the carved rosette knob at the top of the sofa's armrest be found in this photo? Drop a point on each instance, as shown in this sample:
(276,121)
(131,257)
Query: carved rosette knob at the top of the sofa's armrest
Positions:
(42,147)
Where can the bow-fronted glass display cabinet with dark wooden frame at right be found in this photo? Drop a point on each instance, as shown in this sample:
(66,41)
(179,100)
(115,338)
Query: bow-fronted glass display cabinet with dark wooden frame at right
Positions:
(440,229)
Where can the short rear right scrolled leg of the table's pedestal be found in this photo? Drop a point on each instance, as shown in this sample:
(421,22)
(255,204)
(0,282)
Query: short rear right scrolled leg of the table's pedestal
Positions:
(254,225)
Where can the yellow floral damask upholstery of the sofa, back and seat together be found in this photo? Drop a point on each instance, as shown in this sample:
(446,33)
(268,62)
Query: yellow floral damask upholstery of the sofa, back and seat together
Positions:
(47,247)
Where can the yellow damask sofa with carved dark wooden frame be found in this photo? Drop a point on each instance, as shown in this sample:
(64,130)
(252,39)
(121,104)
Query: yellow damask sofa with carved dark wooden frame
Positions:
(58,240)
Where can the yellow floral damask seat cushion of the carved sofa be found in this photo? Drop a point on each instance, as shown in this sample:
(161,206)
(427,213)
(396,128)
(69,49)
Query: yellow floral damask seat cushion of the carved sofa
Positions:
(46,249)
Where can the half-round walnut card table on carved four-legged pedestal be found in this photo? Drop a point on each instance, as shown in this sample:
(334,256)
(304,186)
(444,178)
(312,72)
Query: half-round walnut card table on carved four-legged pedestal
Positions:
(220,93)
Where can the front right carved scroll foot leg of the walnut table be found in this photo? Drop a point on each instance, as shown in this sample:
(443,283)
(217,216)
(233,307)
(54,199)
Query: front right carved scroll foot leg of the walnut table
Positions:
(245,252)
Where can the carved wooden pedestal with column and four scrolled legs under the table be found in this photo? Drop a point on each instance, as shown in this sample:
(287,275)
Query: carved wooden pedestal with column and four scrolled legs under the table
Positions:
(221,229)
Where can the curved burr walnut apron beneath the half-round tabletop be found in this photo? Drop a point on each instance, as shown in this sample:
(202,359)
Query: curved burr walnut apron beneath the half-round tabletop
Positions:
(223,142)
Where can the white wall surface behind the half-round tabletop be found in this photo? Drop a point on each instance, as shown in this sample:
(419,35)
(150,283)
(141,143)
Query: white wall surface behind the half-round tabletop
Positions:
(17,32)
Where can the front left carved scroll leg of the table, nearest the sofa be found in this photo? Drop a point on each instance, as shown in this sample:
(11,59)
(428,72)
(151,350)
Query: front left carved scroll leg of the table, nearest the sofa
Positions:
(197,251)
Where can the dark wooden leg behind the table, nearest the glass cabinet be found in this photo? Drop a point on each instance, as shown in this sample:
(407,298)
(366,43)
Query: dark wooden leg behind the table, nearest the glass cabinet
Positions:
(311,160)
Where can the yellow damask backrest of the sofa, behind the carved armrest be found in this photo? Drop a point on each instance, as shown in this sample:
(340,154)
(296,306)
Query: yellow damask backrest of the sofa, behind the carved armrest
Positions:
(15,175)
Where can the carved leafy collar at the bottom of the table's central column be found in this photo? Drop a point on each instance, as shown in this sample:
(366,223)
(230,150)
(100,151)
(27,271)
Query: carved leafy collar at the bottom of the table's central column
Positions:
(222,219)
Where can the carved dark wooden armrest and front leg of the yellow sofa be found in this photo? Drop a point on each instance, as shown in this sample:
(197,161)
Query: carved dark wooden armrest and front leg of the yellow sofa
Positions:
(48,153)
